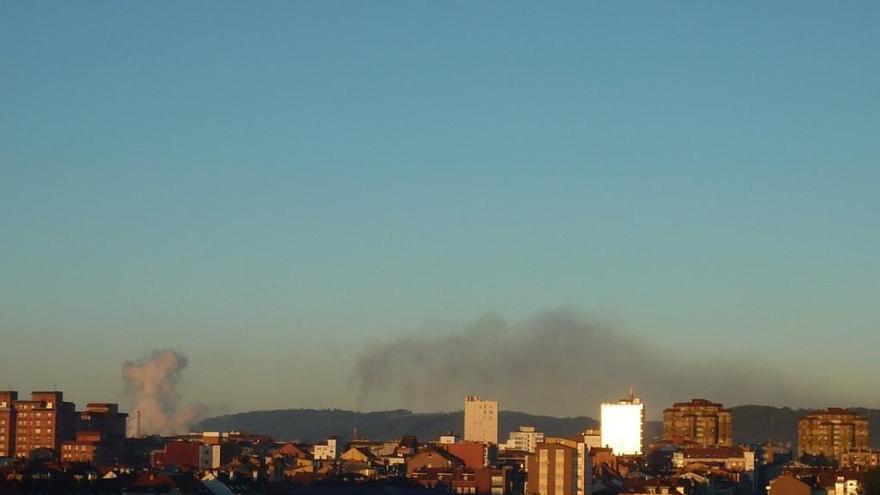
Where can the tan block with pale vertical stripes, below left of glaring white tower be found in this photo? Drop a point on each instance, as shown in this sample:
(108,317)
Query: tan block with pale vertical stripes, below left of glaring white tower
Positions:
(558,467)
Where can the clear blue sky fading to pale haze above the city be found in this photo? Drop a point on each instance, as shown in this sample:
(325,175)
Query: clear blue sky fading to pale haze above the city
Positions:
(269,187)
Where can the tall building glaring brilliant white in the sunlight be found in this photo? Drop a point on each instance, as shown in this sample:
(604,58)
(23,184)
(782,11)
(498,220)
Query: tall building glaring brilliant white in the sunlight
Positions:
(623,425)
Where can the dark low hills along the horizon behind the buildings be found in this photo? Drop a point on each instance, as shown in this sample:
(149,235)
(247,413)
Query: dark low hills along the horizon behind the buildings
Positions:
(751,424)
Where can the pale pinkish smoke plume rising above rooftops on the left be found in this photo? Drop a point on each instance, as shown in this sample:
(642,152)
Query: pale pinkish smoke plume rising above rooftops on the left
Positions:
(152,382)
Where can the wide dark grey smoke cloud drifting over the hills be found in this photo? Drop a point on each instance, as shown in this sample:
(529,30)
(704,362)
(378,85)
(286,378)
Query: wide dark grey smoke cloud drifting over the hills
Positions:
(560,362)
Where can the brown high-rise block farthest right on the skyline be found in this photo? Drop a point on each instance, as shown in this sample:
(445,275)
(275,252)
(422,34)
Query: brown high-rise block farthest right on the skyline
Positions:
(832,432)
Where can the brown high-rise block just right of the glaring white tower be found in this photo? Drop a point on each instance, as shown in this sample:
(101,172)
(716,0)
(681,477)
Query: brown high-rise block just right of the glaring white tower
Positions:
(704,422)
